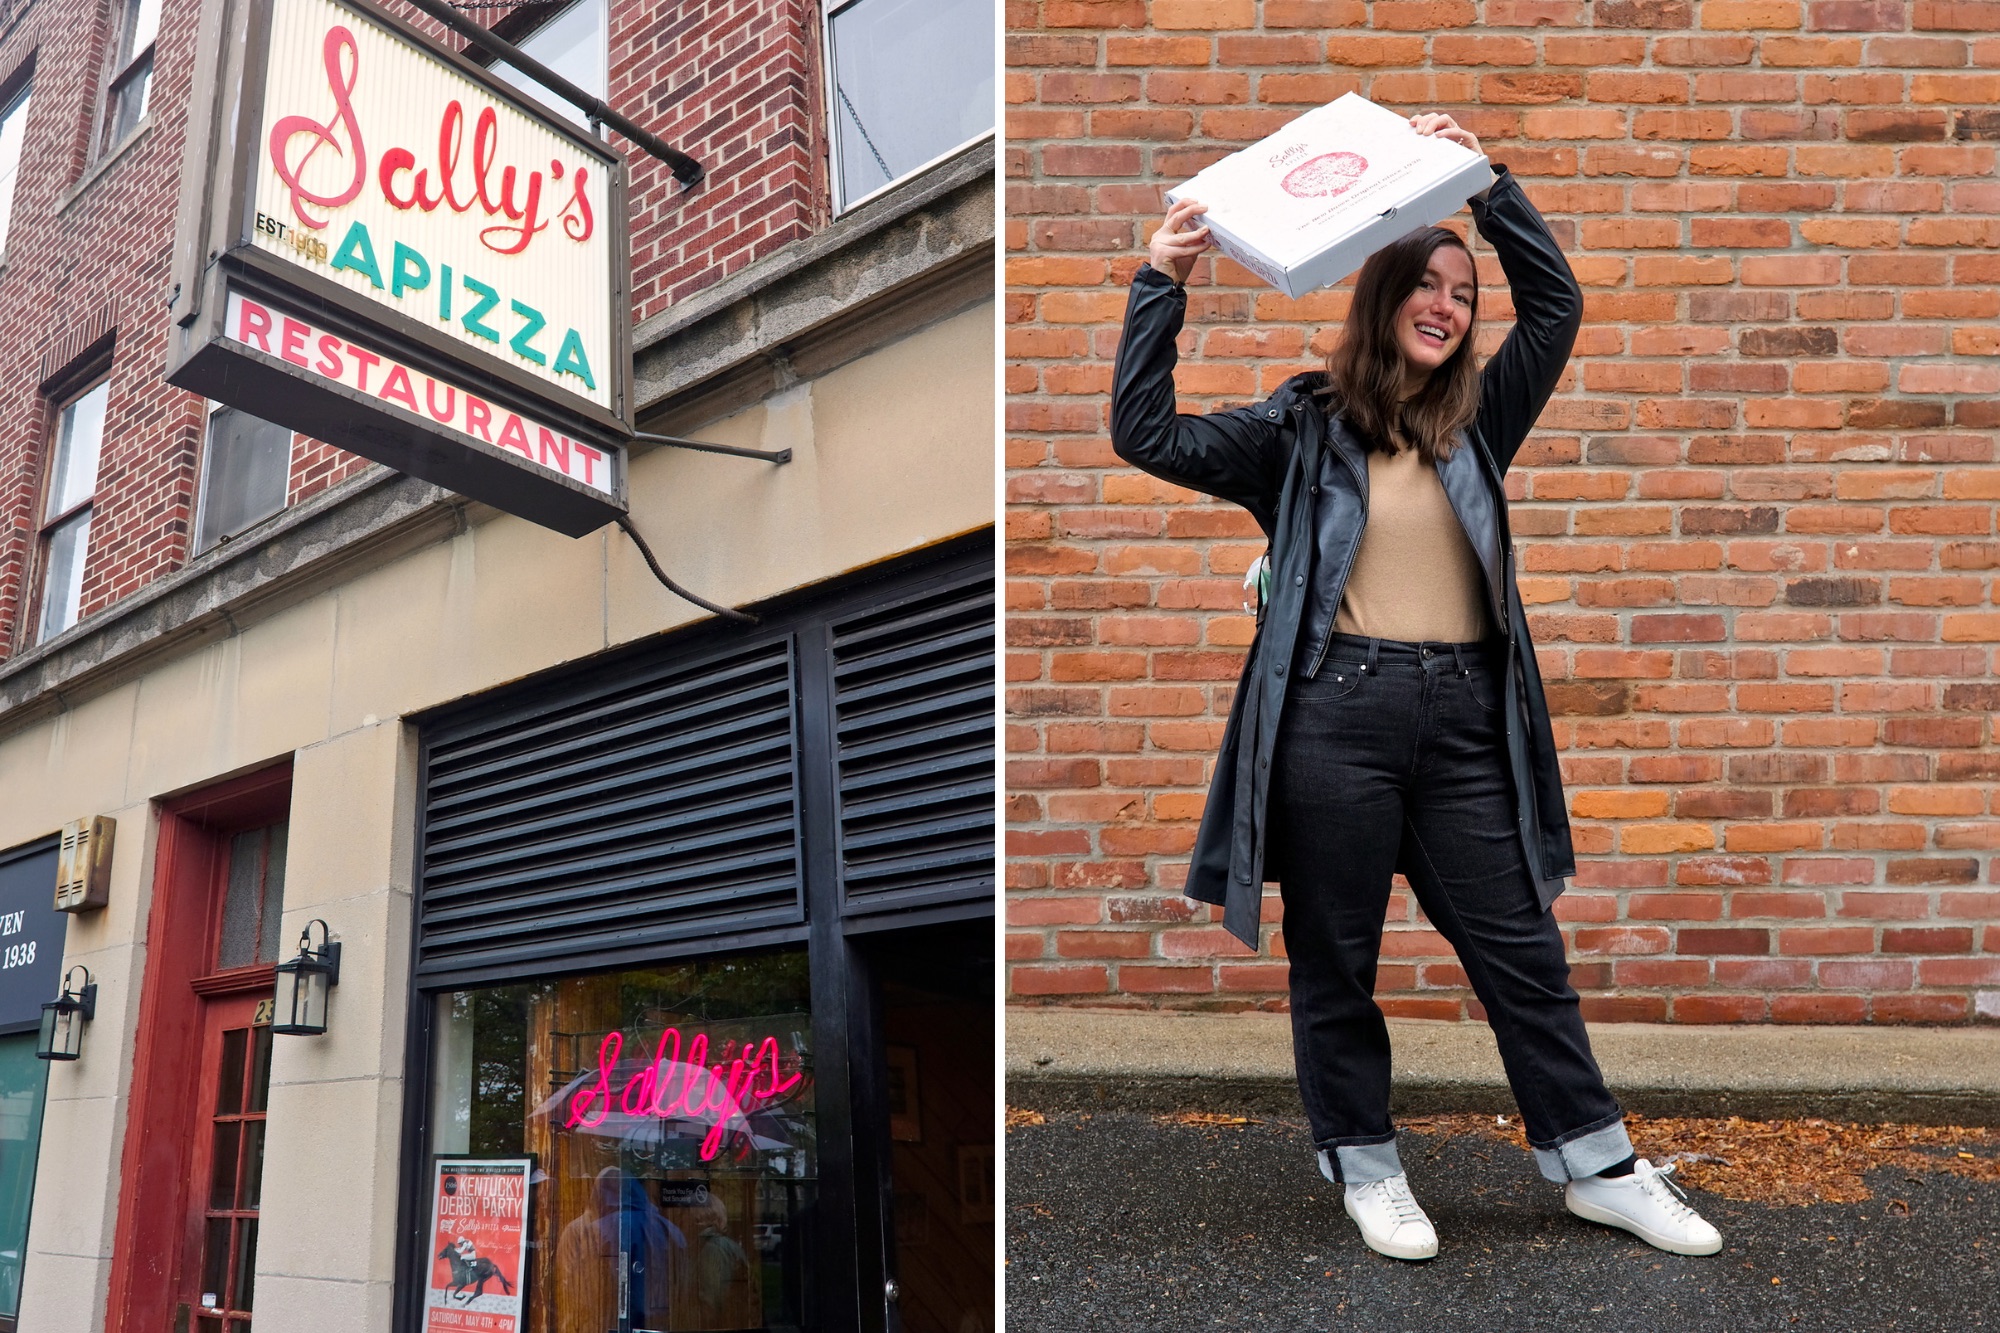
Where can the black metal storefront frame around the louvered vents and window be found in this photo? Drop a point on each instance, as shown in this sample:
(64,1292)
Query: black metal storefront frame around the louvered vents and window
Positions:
(853,1226)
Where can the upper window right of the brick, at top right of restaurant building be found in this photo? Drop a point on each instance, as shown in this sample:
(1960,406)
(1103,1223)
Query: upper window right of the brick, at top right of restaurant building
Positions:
(913,81)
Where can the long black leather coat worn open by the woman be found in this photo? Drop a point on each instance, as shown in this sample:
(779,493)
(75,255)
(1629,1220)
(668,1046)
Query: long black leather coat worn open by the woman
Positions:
(1305,477)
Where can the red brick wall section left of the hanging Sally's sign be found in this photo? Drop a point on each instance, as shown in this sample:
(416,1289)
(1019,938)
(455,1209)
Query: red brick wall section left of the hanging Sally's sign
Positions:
(99,265)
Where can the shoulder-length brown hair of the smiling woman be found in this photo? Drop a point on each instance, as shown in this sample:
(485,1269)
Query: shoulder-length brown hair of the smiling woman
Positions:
(1365,369)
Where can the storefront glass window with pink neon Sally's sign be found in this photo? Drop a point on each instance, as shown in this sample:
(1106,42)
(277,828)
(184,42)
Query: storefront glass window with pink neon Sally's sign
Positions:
(665,1122)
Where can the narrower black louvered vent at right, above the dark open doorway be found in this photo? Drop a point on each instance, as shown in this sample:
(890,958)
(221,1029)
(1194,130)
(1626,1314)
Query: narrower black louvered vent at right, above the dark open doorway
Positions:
(915,714)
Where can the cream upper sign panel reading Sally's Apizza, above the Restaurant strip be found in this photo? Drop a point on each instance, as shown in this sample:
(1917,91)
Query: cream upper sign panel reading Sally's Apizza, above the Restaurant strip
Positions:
(409,183)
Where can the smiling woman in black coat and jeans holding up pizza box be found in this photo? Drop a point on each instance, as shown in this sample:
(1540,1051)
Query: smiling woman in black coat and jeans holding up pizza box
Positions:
(1391,714)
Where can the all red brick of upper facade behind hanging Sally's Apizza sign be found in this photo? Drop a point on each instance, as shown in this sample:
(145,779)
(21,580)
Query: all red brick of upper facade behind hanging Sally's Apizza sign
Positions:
(733,83)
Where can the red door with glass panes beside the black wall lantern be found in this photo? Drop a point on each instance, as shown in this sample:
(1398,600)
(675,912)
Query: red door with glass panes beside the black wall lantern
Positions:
(219,1256)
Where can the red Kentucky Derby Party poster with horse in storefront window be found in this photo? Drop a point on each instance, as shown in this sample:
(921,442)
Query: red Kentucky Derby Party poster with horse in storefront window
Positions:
(479,1246)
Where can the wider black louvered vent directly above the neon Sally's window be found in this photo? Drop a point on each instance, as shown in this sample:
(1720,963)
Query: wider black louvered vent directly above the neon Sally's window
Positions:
(651,808)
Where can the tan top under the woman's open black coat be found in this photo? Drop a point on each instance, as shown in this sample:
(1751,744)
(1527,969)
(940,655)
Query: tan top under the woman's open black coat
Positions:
(1415,575)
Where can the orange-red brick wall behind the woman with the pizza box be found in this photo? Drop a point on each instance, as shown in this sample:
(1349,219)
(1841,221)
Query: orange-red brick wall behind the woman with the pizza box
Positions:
(1757,523)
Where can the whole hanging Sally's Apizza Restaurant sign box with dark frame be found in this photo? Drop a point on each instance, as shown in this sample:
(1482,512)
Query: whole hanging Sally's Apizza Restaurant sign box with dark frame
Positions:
(391,251)
